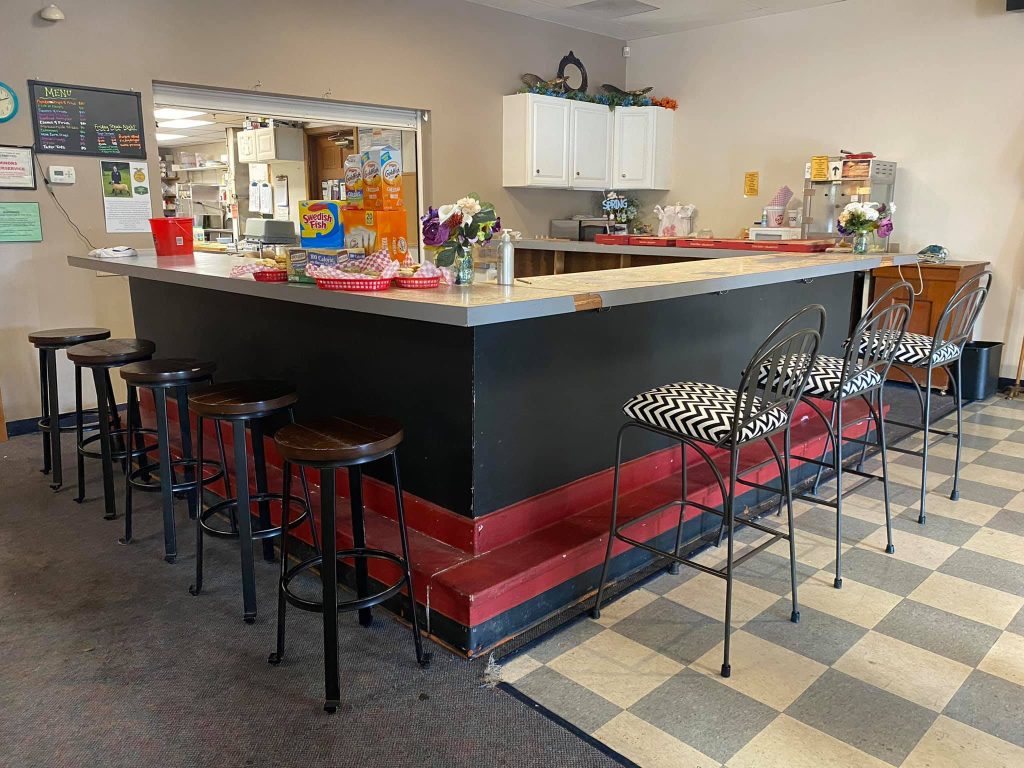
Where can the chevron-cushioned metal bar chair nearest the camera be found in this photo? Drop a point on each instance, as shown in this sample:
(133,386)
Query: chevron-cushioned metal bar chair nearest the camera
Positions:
(707,417)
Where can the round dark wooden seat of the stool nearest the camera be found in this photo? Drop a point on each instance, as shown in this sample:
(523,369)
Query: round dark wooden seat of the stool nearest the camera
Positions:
(336,441)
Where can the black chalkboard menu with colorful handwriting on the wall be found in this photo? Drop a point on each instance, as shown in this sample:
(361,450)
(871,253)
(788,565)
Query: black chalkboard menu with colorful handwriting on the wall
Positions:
(79,120)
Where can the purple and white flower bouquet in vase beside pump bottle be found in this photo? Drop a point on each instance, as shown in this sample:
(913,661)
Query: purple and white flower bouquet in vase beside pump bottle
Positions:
(452,231)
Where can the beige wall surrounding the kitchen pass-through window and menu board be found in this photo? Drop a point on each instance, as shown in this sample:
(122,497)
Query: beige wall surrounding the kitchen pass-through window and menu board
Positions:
(454,59)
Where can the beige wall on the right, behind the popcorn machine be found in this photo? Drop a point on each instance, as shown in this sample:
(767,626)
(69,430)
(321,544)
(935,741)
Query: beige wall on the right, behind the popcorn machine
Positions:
(932,84)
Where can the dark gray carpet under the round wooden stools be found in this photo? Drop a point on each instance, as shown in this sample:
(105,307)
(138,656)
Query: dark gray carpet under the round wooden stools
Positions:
(106,660)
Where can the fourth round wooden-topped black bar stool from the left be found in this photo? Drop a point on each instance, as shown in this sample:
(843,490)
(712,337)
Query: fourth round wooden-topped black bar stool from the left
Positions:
(246,404)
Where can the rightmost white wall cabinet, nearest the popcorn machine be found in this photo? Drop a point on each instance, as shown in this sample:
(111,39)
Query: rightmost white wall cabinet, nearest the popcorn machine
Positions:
(643,156)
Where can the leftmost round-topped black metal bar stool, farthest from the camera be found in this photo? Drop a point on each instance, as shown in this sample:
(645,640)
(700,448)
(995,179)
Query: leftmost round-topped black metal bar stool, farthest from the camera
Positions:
(49,343)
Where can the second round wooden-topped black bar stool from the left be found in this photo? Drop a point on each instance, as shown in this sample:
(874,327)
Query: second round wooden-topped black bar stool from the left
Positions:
(115,445)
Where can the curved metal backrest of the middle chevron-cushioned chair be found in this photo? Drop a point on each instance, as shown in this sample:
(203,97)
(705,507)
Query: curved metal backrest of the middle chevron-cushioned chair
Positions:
(878,335)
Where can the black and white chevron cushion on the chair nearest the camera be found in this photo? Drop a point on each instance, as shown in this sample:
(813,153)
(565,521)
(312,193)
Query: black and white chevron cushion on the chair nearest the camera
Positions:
(703,412)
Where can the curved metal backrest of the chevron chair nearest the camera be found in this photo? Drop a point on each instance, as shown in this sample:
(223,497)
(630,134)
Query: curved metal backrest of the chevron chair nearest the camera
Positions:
(788,356)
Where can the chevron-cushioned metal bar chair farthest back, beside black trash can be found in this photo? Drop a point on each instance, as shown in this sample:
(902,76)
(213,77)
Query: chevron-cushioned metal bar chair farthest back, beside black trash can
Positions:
(945,351)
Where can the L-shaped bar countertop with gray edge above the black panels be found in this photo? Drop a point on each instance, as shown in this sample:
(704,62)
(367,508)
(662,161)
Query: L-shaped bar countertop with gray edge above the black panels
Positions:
(487,304)
